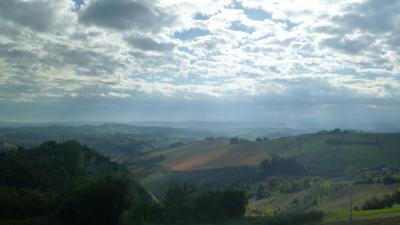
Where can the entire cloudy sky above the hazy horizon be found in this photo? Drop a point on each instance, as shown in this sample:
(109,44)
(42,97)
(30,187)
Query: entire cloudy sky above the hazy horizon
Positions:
(293,61)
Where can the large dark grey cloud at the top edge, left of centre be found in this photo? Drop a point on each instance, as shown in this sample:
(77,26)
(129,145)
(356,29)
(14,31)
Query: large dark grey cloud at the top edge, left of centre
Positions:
(125,15)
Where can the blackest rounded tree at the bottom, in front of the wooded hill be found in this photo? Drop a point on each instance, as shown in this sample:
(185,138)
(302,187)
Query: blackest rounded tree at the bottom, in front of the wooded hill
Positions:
(95,201)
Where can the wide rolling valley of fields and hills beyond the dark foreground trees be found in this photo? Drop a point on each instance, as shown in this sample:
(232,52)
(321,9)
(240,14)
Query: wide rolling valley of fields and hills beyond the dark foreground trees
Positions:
(331,171)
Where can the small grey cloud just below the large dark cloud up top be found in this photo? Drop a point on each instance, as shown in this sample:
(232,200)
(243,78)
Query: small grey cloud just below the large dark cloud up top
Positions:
(148,44)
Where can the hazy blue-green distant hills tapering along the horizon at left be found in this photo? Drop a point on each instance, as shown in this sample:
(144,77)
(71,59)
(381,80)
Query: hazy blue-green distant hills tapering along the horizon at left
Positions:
(109,139)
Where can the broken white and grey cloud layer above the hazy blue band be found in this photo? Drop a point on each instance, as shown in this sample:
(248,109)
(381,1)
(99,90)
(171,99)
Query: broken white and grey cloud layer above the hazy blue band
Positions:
(96,51)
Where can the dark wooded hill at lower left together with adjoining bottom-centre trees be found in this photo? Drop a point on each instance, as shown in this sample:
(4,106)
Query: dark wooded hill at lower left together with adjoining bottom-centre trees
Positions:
(71,184)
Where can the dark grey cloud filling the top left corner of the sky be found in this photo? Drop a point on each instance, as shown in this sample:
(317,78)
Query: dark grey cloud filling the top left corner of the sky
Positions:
(37,15)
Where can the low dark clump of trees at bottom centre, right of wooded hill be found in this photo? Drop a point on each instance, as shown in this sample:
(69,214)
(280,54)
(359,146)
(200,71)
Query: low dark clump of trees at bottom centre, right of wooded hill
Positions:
(182,206)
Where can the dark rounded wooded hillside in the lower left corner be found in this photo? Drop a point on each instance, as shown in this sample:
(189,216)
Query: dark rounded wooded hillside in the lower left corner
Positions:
(65,183)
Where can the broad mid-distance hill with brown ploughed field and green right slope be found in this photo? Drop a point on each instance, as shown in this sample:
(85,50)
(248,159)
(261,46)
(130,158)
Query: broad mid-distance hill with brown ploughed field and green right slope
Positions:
(326,152)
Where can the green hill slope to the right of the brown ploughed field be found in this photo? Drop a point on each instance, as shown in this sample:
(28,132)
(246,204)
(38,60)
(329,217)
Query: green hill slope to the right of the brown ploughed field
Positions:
(317,155)
